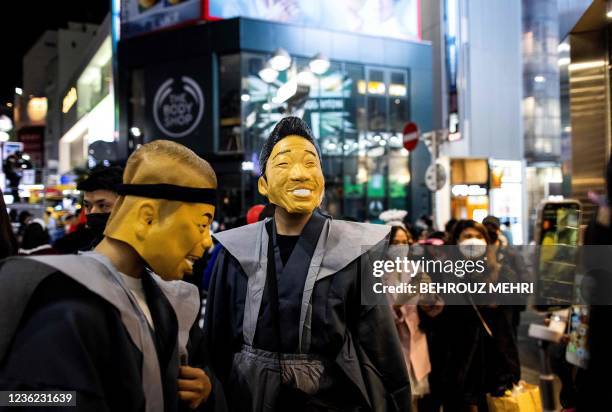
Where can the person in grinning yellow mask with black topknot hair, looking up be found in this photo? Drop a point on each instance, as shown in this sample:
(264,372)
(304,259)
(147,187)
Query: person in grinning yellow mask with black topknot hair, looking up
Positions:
(296,335)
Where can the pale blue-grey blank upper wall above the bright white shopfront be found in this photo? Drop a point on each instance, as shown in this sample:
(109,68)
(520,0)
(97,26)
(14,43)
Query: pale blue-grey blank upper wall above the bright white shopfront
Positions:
(490,81)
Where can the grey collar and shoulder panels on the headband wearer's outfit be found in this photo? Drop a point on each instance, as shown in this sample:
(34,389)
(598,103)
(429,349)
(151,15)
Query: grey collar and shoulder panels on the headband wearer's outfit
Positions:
(96,273)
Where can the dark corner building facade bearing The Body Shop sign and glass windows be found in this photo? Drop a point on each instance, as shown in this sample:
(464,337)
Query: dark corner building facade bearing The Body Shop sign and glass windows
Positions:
(210,87)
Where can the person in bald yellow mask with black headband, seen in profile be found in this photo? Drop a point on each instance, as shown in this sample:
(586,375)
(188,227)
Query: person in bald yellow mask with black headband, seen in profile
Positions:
(117,325)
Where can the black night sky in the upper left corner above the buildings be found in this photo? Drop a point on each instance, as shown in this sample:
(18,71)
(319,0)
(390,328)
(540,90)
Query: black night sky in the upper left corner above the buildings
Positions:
(25,21)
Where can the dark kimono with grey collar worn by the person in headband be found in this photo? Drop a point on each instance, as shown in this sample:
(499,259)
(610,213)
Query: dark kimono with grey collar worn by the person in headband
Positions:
(79,329)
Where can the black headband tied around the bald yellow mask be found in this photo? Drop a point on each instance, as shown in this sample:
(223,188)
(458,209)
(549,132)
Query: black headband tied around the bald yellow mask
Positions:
(170,192)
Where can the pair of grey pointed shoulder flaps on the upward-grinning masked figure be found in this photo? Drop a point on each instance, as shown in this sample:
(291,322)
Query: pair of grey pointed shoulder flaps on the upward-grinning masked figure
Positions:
(346,242)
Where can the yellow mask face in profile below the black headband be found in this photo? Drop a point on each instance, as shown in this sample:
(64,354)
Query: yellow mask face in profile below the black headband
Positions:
(174,241)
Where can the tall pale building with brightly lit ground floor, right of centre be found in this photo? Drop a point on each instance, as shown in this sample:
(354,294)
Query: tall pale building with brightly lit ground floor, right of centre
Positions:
(477,101)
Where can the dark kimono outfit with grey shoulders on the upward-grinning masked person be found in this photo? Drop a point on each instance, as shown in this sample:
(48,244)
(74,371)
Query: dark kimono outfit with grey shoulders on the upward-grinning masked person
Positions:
(357,343)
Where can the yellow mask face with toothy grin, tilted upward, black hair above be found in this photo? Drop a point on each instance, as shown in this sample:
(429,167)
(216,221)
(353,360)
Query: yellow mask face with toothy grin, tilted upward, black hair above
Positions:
(294,179)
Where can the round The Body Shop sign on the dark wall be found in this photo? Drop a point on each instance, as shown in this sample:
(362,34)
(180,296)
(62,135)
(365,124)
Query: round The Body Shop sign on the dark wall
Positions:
(178,106)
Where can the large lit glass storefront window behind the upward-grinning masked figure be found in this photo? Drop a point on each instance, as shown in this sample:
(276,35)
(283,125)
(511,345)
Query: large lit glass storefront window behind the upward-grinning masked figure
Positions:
(356,115)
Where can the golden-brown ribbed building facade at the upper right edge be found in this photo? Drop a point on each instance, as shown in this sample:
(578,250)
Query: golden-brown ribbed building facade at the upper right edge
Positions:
(585,64)
